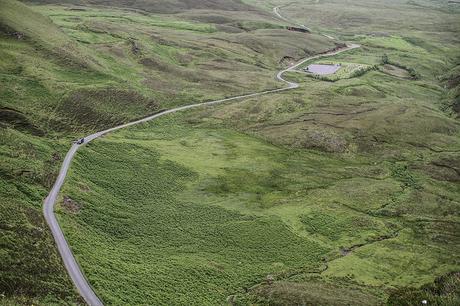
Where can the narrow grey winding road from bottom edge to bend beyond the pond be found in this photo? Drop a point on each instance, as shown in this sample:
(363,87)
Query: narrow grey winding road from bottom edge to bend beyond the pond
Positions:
(70,263)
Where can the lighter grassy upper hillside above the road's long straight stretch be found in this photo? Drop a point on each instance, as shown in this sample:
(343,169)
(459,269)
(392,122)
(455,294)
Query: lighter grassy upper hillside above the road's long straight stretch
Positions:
(128,54)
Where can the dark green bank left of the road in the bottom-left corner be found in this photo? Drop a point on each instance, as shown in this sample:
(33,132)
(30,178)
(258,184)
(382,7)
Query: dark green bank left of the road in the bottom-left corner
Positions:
(31,269)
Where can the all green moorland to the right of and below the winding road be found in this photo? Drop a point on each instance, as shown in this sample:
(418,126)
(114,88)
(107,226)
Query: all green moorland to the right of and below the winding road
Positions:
(363,173)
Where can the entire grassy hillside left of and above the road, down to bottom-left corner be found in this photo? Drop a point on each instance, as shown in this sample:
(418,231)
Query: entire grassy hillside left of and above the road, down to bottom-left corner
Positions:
(77,71)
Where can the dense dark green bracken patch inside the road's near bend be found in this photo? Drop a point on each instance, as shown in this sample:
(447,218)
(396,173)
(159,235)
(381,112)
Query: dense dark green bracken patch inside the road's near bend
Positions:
(185,251)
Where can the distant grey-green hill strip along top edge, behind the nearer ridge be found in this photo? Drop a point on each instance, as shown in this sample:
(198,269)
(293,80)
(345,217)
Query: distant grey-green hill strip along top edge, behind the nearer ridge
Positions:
(162,6)
